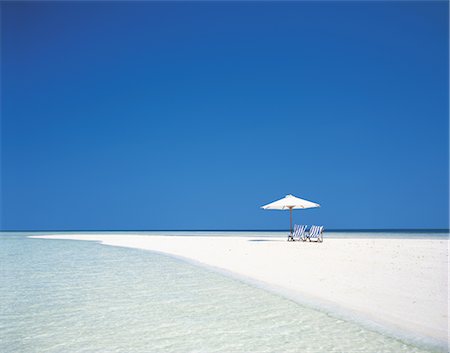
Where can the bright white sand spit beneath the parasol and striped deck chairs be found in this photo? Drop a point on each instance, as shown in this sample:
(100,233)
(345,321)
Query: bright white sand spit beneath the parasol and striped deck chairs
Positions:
(399,284)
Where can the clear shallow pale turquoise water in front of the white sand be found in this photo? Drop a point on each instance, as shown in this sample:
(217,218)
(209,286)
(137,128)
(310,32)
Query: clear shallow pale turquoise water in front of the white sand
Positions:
(74,296)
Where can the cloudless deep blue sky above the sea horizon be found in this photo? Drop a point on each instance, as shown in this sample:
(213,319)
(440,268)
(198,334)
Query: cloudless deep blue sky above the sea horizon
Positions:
(191,115)
